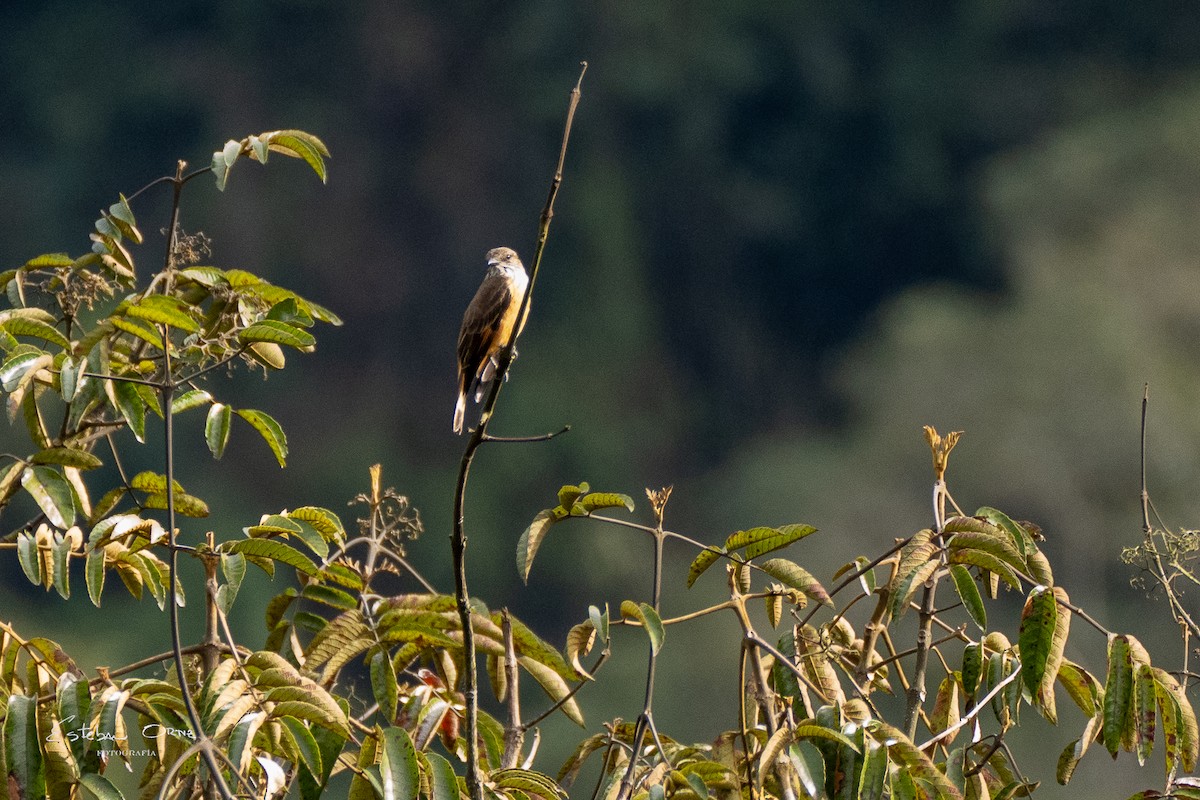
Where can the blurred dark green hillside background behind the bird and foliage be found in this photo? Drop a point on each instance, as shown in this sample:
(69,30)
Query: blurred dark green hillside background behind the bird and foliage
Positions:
(790,234)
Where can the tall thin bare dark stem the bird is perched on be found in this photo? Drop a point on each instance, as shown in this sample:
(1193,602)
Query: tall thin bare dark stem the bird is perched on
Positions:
(459,536)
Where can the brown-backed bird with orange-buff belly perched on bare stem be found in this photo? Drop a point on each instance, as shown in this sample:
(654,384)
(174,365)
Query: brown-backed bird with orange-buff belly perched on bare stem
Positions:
(488,324)
